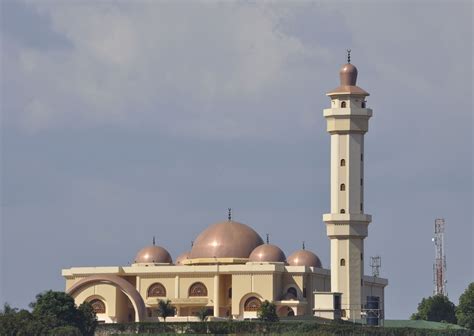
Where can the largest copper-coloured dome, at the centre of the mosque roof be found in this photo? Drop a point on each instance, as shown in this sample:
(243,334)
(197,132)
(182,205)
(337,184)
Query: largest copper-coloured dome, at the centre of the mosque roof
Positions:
(227,239)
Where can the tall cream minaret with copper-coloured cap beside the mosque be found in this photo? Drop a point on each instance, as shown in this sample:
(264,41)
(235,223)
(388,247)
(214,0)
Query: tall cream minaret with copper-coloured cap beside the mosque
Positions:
(347,122)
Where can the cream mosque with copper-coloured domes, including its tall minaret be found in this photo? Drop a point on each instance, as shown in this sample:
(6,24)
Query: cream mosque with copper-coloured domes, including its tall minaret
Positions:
(230,270)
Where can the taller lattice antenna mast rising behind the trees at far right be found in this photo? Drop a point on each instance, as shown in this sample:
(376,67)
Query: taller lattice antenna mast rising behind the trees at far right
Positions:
(439,267)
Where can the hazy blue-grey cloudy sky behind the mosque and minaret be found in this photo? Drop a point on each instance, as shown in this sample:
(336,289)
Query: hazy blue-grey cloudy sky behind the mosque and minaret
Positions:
(125,120)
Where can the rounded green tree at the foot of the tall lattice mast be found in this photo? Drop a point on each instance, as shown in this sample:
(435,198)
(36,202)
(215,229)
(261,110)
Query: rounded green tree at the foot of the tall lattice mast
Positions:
(436,308)
